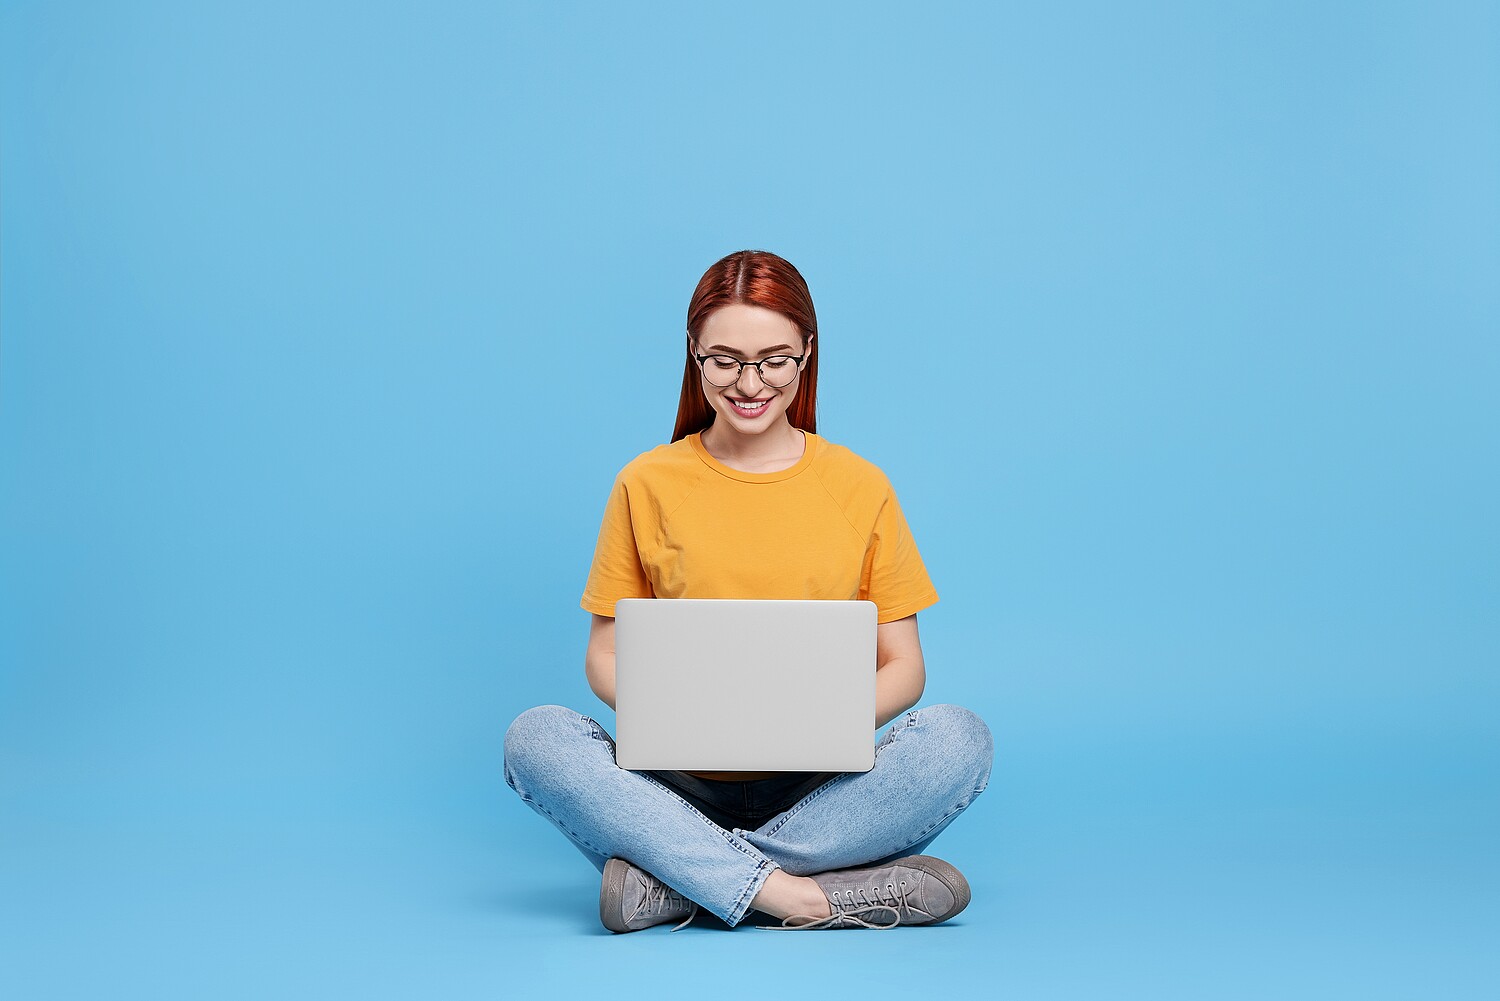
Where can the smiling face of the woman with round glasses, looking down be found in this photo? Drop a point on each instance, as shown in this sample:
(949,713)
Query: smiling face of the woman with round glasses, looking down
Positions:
(749,334)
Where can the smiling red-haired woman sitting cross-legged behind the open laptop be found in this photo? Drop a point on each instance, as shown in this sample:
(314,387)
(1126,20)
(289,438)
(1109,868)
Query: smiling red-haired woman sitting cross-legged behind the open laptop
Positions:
(749,502)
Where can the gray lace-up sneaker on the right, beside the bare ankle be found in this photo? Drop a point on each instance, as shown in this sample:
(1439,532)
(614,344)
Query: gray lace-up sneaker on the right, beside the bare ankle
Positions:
(911,891)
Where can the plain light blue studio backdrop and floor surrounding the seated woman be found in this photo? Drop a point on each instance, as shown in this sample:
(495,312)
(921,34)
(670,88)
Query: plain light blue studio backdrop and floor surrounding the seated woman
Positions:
(325,329)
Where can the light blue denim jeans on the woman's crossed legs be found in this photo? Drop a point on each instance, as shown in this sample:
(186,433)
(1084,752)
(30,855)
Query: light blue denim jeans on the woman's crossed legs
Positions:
(716,843)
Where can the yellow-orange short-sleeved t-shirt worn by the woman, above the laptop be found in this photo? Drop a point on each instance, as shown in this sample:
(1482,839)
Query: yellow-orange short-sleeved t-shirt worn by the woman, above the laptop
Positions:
(683,525)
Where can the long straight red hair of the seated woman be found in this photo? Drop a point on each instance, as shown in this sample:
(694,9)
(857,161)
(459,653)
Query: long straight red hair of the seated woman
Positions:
(758,278)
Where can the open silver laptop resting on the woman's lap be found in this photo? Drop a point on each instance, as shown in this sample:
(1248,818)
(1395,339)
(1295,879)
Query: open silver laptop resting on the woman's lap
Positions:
(722,685)
